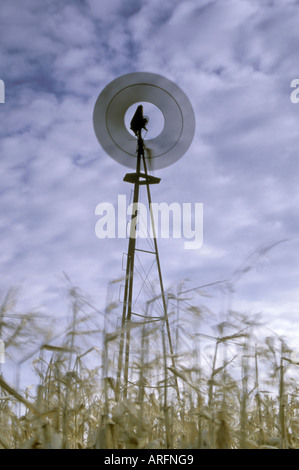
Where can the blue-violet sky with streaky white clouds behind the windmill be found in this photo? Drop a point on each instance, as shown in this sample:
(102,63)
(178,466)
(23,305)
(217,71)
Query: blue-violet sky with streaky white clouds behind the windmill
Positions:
(235,60)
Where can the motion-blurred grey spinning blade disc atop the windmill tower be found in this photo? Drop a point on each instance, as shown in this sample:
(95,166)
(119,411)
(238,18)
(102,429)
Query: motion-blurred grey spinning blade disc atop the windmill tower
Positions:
(111,107)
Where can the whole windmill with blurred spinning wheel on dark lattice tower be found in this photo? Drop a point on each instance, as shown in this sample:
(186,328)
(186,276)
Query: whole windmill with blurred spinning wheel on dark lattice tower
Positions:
(157,153)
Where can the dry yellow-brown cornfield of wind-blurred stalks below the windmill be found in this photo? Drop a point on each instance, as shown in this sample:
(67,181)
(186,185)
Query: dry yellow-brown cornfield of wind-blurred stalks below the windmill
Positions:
(230,384)
